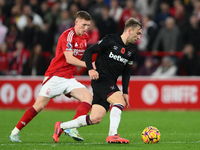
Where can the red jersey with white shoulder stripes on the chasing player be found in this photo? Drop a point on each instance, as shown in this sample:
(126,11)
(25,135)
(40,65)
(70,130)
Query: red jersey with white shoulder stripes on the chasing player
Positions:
(68,41)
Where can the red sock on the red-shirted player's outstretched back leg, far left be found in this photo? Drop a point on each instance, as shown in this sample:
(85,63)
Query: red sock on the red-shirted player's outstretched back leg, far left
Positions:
(26,118)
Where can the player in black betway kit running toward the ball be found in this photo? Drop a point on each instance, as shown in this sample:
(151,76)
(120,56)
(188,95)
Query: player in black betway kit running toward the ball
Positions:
(115,57)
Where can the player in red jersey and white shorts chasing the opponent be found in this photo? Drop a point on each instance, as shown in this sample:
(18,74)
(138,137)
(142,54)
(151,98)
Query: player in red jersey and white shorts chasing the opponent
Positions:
(59,77)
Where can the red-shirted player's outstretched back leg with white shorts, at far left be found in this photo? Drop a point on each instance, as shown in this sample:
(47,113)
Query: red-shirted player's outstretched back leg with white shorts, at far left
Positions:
(50,88)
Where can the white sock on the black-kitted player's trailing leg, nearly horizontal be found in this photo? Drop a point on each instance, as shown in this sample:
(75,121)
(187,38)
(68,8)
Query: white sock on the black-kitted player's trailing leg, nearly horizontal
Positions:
(76,123)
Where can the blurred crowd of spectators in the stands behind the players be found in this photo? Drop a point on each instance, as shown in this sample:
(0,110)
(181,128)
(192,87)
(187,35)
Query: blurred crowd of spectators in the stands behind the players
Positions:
(169,44)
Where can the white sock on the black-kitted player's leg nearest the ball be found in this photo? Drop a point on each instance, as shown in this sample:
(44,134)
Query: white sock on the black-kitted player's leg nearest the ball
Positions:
(115,117)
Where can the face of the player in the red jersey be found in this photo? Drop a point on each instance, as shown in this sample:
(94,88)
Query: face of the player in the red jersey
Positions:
(81,26)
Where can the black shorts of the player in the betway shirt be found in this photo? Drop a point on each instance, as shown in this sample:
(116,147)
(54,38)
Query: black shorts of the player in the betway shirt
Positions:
(102,89)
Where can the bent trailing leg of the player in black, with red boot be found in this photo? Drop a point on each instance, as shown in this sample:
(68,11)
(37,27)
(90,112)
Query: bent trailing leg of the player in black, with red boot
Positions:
(97,113)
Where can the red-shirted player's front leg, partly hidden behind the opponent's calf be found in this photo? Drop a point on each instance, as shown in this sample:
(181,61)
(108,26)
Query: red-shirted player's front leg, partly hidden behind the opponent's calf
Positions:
(81,93)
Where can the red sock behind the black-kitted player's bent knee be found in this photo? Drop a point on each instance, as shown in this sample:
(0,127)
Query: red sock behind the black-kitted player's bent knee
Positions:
(82,109)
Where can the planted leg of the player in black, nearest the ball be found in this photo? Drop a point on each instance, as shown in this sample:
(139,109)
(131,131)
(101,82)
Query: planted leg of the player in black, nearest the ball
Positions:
(118,103)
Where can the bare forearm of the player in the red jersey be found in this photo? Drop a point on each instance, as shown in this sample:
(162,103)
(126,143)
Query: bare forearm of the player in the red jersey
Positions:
(73,60)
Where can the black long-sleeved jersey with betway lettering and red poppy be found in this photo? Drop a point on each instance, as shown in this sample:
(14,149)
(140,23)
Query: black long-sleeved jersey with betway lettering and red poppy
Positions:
(114,58)
